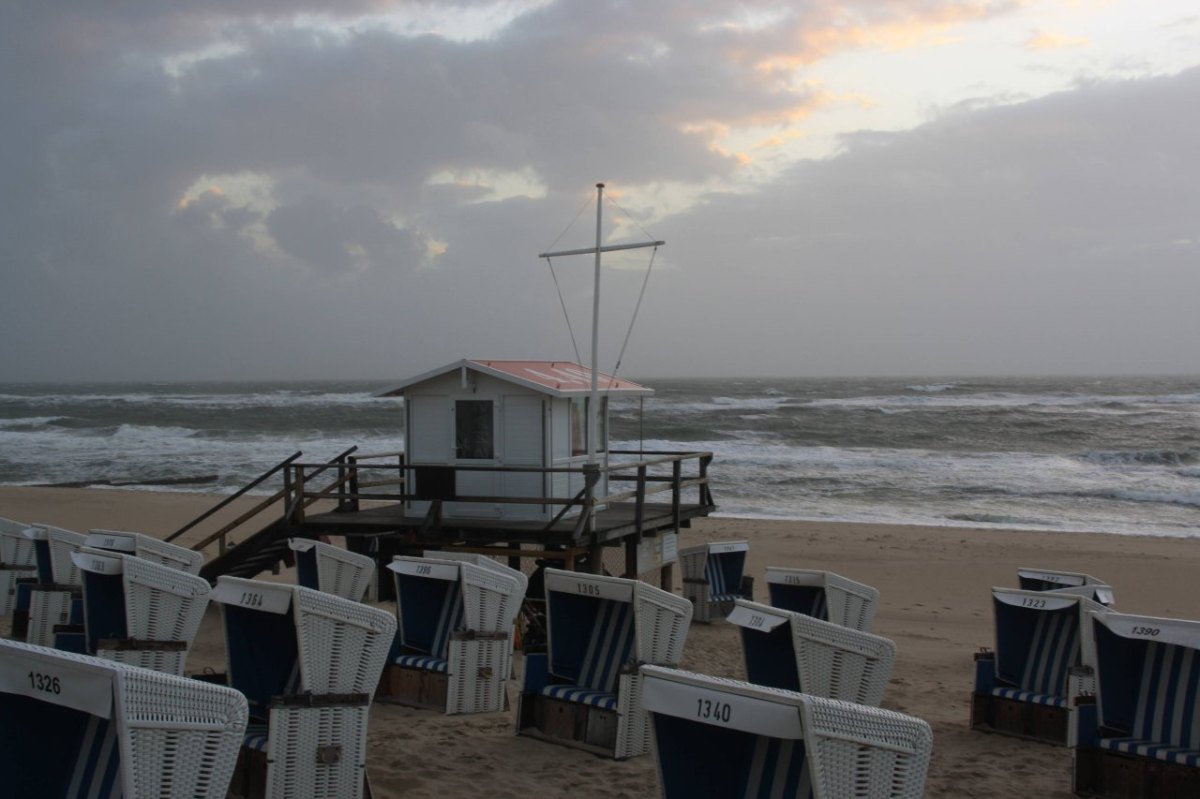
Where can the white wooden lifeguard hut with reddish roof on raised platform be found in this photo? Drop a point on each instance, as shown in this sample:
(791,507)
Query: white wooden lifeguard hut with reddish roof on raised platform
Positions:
(511,416)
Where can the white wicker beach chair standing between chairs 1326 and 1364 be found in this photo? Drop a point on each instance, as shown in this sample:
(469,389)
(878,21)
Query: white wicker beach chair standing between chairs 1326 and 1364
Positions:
(139,612)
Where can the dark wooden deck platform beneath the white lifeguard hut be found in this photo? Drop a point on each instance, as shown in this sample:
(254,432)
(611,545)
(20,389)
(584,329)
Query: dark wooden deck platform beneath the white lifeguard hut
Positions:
(613,525)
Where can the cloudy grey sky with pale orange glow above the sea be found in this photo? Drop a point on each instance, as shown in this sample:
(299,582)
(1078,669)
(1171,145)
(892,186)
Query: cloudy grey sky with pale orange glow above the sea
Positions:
(255,189)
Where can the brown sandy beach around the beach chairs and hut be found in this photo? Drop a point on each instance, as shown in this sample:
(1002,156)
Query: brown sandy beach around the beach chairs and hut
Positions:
(935,604)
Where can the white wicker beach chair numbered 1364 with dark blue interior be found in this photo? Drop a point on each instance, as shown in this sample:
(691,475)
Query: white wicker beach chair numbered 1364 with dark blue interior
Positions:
(308,663)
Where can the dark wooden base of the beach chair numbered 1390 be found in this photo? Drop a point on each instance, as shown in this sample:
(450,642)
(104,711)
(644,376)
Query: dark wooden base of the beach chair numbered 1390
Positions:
(1117,776)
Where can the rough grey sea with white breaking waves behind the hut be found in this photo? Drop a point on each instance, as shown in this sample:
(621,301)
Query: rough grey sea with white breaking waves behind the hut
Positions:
(1111,455)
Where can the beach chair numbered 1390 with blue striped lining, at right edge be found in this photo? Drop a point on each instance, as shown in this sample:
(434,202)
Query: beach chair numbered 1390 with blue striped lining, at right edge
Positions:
(1141,736)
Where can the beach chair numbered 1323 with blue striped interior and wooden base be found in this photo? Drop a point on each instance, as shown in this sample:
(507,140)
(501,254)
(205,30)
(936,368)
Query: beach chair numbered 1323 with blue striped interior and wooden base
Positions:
(1023,688)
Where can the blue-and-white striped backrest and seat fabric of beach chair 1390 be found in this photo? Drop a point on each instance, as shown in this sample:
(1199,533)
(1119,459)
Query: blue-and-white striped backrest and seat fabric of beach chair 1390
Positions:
(1167,723)
